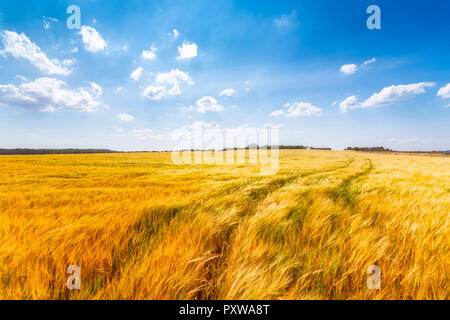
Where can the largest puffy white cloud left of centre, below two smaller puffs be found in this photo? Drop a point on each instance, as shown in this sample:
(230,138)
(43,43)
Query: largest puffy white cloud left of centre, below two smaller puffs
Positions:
(167,84)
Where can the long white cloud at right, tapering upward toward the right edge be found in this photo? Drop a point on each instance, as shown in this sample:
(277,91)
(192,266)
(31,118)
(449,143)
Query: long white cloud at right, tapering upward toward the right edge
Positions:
(386,96)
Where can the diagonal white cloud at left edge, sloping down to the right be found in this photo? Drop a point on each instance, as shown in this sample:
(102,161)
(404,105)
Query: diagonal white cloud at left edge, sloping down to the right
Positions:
(20,46)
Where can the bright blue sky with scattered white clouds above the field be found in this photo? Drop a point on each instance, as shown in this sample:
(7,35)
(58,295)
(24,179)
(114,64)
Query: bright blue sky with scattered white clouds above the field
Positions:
(135,74)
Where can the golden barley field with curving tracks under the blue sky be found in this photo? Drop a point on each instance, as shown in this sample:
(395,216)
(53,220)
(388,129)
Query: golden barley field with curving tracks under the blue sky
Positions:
(141,227)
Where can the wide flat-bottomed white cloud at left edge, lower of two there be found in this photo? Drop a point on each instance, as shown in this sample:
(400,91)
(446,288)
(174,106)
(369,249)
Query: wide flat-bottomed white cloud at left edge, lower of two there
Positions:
(49,94)
